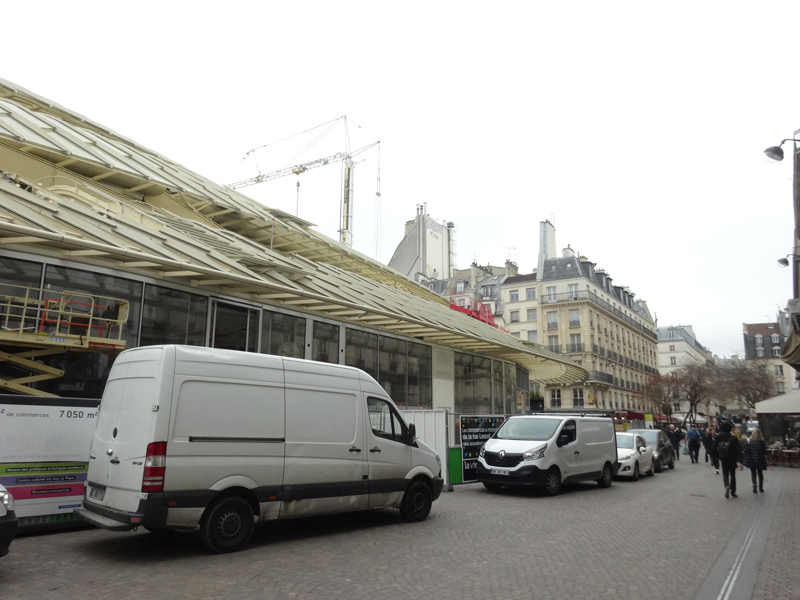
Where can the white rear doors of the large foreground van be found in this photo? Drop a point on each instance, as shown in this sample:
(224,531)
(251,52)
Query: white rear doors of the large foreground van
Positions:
(125,427)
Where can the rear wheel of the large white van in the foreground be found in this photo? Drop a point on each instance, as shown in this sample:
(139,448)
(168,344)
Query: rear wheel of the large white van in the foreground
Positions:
(227,525)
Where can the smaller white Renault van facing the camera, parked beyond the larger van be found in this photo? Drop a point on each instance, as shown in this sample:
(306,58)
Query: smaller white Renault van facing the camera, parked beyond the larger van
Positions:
(547,450)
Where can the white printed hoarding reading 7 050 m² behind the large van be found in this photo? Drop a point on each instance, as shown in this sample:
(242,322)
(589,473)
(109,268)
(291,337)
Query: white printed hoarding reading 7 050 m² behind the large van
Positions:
(44,452)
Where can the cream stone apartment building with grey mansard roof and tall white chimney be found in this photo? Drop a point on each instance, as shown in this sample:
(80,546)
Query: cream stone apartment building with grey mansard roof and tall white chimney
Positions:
(572,308)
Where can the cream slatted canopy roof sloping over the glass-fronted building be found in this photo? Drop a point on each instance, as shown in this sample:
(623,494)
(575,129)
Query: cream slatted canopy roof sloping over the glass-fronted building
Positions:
(90,195)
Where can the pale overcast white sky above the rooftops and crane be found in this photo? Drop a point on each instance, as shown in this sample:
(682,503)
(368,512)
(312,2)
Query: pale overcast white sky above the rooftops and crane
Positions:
(637,128)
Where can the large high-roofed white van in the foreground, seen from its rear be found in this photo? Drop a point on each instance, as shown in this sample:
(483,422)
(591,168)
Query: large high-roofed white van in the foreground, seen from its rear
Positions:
(190,436)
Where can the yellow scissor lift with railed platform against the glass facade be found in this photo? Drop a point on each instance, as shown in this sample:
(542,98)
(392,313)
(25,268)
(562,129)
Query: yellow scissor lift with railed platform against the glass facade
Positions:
(39,322)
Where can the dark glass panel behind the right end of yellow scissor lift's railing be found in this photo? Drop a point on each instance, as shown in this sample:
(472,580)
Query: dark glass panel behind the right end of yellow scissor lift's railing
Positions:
(58,279)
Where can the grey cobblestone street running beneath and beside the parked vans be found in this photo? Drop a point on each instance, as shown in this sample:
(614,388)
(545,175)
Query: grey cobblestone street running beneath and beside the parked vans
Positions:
(656,538)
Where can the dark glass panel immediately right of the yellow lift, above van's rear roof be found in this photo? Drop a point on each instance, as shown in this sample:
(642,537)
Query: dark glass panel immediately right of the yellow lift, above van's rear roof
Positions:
(173,317)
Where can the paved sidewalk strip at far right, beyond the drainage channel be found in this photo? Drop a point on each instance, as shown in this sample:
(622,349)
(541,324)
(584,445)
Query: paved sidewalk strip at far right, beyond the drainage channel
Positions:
(779,574)
